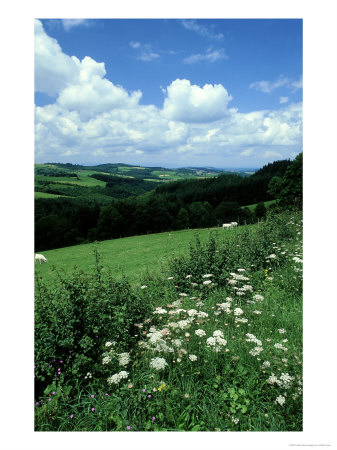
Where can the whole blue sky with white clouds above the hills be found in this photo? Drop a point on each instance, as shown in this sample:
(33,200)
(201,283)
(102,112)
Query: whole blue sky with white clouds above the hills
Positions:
(223,92)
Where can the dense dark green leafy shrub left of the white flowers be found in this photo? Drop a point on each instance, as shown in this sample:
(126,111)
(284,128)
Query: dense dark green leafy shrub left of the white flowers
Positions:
(76,318)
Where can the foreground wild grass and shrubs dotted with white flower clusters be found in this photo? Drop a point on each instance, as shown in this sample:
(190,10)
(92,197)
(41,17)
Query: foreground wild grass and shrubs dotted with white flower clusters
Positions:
(213,344)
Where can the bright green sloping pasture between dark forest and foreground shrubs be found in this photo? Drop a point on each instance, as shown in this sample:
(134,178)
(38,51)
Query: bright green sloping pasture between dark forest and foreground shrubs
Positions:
(132,256)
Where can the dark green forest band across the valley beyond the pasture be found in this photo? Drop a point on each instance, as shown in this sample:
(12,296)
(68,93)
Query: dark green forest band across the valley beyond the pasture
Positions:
(141,207)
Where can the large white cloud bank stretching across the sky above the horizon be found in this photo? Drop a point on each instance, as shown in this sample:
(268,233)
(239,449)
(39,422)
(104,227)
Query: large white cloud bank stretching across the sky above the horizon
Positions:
(93,119)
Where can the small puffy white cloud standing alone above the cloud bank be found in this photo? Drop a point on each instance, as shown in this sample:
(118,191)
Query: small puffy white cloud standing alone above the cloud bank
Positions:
(191,103)
